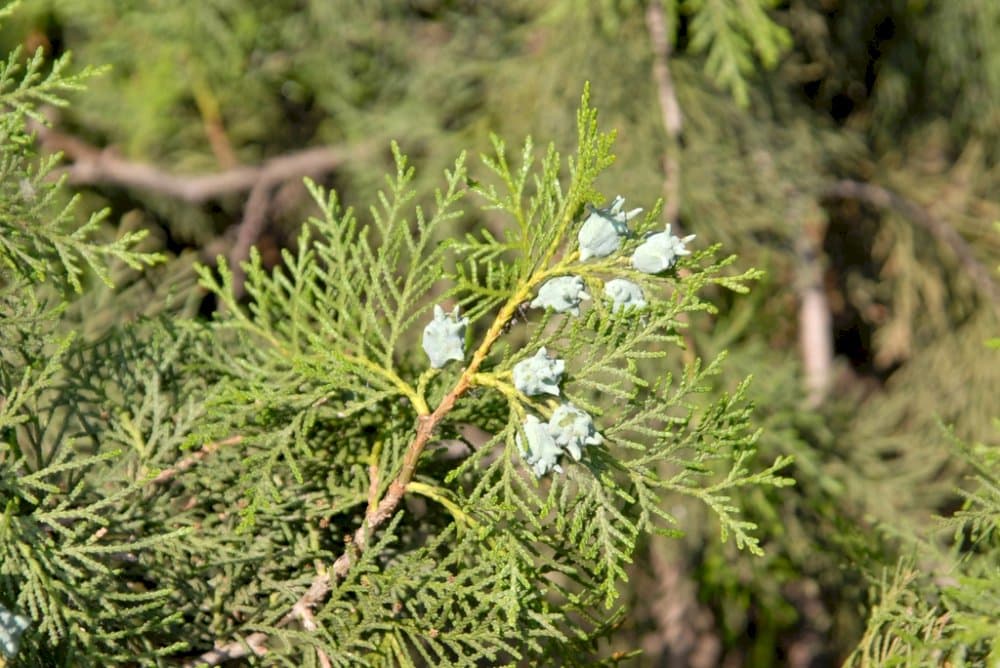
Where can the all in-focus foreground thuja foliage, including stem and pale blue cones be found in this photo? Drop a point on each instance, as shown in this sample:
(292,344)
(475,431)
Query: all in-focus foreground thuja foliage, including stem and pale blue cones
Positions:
(300,478)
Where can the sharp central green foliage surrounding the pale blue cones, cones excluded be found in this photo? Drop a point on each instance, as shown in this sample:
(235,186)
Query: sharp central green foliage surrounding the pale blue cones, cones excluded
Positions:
(326,347)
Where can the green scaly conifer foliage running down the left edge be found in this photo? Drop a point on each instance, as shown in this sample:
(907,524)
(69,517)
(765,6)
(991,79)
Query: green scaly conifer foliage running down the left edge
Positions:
(63,548)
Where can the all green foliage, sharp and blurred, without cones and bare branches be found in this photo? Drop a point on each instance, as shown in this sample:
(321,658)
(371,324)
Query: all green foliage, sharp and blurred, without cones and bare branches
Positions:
(258,434)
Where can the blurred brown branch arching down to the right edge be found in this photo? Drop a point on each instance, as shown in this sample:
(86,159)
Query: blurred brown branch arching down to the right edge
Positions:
(945,234)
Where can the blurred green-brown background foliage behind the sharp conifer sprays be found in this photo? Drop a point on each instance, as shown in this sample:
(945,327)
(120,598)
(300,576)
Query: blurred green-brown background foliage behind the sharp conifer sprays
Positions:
(848,147)
